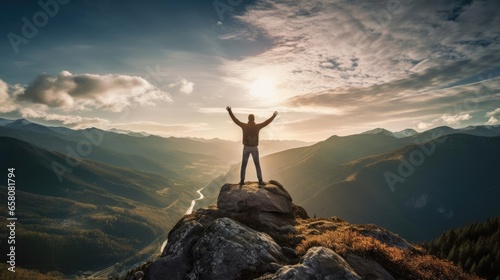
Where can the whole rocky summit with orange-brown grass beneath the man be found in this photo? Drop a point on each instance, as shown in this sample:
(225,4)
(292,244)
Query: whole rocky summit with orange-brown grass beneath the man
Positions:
(256,232)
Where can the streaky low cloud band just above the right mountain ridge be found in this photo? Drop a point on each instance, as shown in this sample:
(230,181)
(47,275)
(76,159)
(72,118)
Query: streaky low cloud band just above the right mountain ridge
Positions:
(400,105)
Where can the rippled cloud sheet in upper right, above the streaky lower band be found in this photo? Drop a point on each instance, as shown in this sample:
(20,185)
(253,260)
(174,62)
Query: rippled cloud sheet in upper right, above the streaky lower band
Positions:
(323,44)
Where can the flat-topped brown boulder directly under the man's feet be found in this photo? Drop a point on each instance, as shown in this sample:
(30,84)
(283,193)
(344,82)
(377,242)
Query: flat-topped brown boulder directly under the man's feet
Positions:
(251,196)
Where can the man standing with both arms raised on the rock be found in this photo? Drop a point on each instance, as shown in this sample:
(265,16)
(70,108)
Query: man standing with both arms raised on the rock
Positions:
(250,142)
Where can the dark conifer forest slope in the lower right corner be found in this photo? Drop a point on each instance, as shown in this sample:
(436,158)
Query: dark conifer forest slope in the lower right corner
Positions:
(475,247)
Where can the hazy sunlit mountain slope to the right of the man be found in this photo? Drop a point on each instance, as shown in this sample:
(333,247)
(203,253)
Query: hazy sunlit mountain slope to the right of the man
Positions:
(417,186)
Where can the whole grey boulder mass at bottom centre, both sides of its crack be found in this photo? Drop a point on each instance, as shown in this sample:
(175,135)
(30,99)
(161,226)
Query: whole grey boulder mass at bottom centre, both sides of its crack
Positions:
(222,249)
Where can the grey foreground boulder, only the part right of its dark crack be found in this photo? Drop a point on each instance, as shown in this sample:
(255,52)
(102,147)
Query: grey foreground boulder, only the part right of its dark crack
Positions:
(230,250)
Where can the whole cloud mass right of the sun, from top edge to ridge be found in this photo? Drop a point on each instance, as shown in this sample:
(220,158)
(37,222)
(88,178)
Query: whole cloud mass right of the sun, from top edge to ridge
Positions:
(402,63)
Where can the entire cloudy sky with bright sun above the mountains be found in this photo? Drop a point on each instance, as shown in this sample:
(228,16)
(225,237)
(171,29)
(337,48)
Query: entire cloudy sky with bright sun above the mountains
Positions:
(329,67)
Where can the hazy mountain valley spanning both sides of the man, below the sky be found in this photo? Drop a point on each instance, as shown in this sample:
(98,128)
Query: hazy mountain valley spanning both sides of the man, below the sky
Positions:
(119,198)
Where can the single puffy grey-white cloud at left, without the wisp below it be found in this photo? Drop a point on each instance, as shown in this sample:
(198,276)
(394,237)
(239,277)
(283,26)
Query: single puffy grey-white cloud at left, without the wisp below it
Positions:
(111,92)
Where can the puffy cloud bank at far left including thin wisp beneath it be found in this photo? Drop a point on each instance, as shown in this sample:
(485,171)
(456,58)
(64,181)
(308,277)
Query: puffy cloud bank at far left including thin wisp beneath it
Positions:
(63,97)
